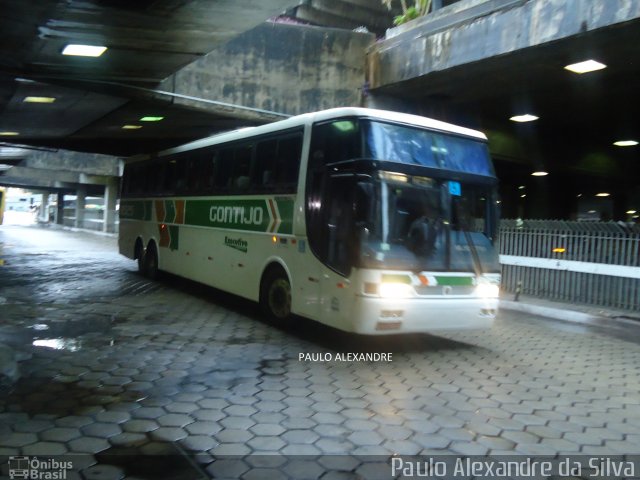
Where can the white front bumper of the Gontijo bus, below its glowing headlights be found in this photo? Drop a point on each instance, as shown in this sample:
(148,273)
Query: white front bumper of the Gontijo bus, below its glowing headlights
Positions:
(383,316)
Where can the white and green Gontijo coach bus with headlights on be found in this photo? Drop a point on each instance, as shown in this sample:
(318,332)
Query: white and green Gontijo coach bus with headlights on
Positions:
(369,221)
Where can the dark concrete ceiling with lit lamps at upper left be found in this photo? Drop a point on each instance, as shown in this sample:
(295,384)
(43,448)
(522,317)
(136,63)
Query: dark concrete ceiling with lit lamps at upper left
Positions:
(147,41)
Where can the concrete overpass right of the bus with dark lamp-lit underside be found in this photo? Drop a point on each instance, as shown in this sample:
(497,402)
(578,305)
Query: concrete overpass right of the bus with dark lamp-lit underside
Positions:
(481,62)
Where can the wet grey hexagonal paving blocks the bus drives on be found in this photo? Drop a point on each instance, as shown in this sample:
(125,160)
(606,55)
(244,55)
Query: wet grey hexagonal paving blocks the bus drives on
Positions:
(108,362)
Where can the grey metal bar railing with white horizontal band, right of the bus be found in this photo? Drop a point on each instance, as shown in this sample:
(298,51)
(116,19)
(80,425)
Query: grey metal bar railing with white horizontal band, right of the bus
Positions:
(592,263)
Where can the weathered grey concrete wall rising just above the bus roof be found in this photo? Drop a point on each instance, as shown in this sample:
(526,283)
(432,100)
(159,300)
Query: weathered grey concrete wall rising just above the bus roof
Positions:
(280,67)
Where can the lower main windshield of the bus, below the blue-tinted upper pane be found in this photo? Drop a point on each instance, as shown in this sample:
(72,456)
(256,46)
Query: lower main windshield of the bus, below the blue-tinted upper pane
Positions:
(416,223)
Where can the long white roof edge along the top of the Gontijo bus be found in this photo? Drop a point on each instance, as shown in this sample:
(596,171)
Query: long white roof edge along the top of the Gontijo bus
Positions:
(324,115)
